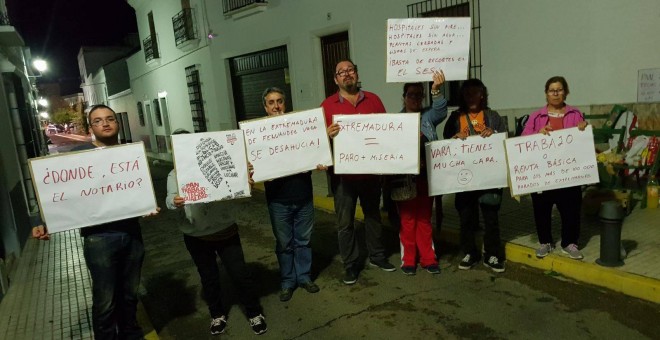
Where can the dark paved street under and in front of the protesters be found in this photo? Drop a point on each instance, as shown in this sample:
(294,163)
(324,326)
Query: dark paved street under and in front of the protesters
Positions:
(522,303)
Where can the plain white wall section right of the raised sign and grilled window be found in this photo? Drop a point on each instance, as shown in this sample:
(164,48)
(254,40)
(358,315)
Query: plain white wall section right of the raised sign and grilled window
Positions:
(598,45)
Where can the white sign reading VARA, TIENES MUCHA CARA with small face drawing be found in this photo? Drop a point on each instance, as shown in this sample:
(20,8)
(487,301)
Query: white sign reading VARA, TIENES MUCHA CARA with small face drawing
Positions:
(475,163)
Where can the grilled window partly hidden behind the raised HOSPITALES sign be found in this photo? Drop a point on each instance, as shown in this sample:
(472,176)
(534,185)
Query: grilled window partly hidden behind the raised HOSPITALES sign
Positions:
(448,9)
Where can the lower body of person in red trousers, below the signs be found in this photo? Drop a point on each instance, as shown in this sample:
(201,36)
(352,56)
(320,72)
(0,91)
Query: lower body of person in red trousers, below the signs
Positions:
(416,233)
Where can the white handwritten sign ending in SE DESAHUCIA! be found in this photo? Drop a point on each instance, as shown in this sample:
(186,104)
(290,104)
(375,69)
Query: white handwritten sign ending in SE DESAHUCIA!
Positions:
(287,144)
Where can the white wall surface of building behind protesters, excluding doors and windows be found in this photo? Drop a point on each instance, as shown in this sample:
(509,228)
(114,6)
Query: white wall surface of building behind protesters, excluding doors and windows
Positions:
(598,45)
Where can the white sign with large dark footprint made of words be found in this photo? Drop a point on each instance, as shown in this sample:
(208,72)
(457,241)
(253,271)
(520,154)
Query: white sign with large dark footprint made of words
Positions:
(211,166)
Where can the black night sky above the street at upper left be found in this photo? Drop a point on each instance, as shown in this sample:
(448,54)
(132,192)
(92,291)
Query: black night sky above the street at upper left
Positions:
(56,29)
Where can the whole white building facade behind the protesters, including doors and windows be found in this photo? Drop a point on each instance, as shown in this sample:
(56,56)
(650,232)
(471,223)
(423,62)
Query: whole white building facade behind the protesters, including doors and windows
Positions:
(236,52)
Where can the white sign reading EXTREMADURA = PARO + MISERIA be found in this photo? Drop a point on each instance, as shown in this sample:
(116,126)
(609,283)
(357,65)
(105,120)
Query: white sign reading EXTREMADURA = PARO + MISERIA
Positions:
(377,144)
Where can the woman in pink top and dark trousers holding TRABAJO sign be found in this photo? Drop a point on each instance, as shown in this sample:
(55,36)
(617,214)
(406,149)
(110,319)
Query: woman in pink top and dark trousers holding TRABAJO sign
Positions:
(557,115)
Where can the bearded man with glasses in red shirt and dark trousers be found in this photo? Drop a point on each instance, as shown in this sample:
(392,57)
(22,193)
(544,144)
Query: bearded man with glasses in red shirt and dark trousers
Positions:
(350,99)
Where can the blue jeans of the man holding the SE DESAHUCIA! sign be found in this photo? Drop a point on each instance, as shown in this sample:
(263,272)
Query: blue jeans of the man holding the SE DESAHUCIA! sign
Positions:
(292,226)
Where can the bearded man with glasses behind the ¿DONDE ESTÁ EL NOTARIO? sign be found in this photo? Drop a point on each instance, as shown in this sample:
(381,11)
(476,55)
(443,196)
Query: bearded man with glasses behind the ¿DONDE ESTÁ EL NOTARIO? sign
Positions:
(113,252)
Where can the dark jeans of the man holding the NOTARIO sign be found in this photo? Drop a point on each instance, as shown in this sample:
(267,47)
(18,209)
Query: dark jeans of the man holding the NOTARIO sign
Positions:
(114,260)
